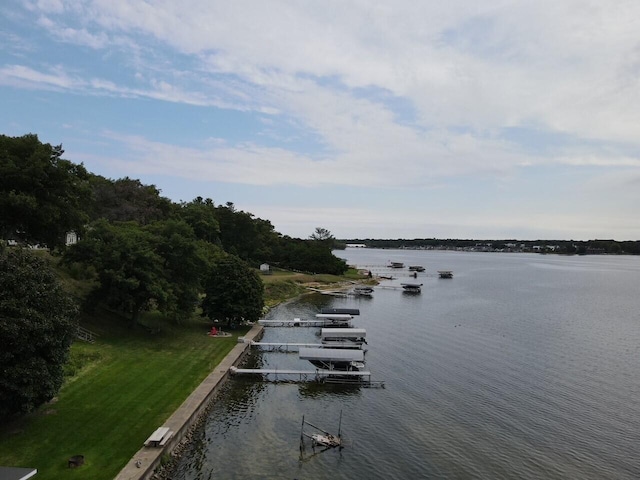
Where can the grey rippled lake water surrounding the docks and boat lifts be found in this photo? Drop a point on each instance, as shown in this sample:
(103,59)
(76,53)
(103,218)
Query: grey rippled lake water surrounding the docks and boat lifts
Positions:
(522,366)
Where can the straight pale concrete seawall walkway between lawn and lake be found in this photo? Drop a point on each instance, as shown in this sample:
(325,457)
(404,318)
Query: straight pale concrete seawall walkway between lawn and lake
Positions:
(145,462)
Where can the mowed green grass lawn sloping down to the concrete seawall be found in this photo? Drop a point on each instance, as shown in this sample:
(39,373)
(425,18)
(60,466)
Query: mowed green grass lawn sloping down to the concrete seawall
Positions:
(124,386)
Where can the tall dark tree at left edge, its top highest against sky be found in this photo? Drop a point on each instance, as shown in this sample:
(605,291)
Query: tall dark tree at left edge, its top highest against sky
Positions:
(42,196)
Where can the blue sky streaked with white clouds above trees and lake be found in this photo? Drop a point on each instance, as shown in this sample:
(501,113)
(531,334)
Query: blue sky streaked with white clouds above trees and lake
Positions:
(372,119)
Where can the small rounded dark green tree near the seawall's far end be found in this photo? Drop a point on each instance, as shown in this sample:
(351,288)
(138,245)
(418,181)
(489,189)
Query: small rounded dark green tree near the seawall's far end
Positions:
(234,292)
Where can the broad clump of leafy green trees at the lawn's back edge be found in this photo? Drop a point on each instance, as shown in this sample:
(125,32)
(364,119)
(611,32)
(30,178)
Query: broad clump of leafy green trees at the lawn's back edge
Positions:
(159,265)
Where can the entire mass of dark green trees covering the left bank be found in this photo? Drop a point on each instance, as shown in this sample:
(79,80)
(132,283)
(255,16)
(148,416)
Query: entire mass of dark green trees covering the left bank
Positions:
(140,250)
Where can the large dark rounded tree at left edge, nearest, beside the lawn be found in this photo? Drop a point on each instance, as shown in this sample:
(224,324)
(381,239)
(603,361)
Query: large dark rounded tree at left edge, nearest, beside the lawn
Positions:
(37,325)
